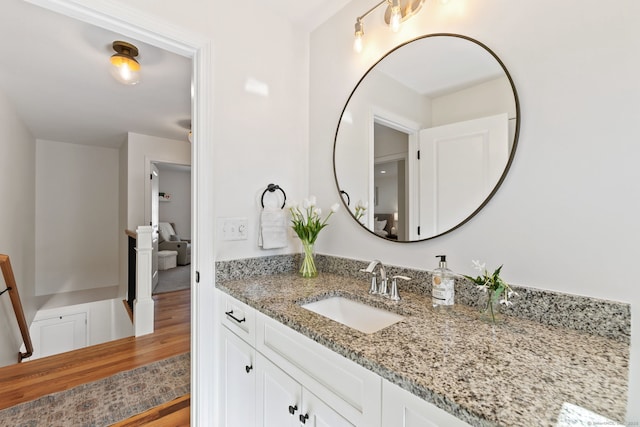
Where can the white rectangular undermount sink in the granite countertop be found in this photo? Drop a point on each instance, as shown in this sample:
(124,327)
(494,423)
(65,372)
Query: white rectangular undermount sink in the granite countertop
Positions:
(354,314)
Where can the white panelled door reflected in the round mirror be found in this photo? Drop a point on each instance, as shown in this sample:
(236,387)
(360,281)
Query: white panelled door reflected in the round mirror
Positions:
(459,166)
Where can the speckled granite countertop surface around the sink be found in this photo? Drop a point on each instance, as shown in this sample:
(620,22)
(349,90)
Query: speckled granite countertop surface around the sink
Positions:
(514,373)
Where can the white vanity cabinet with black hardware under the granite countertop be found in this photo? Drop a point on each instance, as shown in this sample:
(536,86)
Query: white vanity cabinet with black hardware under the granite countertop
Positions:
(273,376)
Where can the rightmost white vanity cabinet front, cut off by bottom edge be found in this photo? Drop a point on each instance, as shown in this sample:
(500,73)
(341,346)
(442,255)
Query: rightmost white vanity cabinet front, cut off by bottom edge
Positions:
(403,409)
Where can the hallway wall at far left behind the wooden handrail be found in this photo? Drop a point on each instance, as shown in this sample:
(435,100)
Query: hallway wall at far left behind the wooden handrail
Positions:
(17,222)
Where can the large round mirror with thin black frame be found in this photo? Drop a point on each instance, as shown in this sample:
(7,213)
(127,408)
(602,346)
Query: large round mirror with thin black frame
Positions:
(426,137)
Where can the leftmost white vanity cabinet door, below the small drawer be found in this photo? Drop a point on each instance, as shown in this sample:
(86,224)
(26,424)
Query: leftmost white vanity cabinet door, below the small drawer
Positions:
(239,381)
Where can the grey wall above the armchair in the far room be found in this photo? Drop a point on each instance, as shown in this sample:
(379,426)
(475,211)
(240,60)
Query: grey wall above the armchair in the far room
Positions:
(178,208)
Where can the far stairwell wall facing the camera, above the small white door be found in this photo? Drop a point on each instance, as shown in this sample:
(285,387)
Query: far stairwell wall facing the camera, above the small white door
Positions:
(77,227)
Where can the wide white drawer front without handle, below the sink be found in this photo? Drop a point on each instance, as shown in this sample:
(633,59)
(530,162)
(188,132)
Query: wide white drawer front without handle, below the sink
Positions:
(353,391)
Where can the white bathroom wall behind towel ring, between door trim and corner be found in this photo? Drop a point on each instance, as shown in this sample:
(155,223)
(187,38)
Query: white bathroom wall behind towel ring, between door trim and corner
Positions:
(257,139)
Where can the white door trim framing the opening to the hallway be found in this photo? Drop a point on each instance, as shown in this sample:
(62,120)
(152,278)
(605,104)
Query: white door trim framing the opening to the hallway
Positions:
(148,29)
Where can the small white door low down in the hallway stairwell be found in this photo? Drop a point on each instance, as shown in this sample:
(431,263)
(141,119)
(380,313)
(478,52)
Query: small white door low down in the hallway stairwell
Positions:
(58,334)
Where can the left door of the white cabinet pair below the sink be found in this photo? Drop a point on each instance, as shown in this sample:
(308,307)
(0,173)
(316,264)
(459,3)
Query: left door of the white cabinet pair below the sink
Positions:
(279,397)
